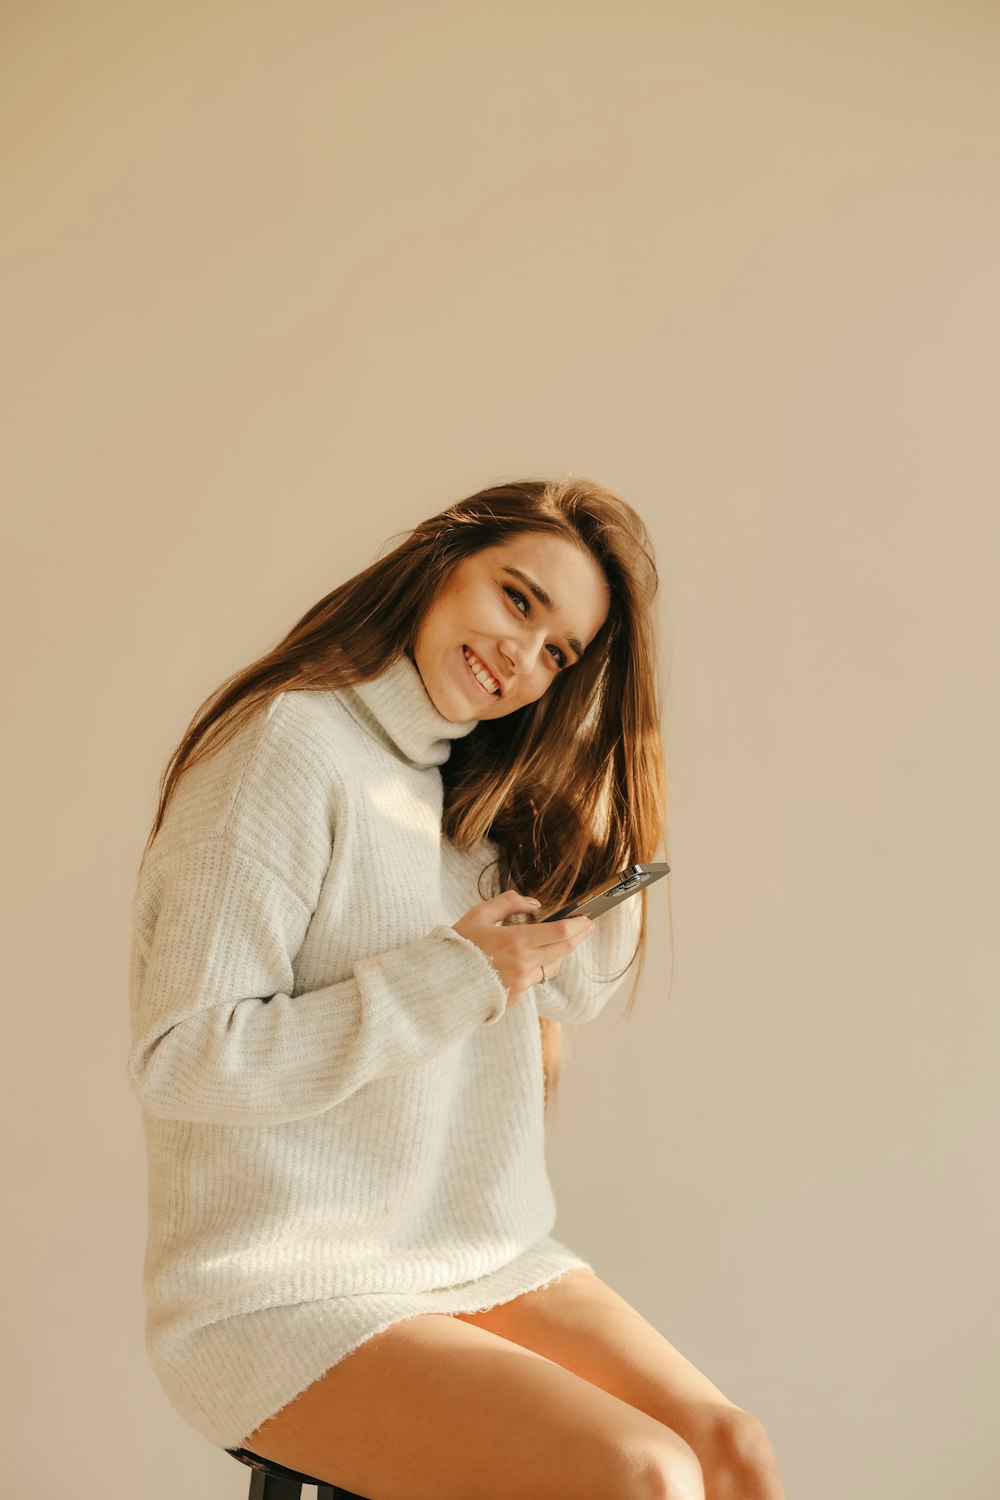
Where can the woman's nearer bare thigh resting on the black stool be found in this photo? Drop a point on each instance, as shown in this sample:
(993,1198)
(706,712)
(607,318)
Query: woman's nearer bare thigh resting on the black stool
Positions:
(437,1409)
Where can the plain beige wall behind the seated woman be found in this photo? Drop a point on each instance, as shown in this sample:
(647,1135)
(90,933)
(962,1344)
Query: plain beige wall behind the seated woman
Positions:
(281,280)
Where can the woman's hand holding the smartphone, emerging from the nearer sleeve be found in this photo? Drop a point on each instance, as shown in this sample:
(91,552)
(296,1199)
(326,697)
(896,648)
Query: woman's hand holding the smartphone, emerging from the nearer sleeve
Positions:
(519,952)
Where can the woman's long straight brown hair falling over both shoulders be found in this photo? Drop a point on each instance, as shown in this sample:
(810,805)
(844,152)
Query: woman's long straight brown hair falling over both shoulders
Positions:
(570,788)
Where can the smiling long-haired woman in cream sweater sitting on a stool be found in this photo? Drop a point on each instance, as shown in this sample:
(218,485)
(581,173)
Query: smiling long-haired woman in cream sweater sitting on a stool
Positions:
(346,1027)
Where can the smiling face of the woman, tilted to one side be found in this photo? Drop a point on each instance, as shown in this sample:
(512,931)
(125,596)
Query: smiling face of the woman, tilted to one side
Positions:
(506,623)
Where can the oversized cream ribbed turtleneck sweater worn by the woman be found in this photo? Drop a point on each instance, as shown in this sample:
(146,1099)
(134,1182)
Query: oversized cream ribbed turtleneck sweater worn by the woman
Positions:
(344,1117)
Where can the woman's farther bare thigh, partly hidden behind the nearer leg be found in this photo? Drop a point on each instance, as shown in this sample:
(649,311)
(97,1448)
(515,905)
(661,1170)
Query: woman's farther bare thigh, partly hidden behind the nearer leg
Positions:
(581,1324)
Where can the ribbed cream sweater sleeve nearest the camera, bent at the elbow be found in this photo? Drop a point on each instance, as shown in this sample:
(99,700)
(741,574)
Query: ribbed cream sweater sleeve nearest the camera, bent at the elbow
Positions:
(218,1033)
